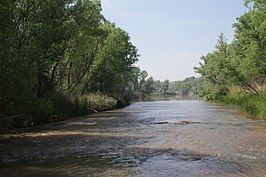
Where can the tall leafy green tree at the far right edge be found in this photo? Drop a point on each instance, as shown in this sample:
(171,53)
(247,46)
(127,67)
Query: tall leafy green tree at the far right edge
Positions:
(250,45)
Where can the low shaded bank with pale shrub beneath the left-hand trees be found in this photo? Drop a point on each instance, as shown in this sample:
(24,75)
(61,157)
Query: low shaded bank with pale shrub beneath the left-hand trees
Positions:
(88,104)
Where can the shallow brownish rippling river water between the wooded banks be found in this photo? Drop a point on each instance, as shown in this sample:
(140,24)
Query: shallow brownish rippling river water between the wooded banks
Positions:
(129,142)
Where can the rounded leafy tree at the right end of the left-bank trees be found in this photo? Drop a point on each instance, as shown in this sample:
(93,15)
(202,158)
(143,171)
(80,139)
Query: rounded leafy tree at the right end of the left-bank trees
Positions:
(111,71)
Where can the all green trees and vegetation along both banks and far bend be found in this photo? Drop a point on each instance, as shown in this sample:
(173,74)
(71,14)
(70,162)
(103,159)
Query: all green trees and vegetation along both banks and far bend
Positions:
(64,58)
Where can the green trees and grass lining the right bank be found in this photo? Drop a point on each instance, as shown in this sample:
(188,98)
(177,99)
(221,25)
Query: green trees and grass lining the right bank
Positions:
(235,73)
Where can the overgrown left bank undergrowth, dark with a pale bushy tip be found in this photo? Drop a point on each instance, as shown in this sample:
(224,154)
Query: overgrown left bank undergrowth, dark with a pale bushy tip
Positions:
(57,109)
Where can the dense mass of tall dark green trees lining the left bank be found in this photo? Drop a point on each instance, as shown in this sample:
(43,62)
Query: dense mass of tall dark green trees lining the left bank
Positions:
(54,53)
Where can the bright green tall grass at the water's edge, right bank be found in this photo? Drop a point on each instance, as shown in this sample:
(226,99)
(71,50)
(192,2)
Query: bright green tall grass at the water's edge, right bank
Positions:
(252,104)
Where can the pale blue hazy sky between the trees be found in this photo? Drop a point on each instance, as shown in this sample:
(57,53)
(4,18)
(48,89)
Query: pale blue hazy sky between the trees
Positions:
(172,35)
